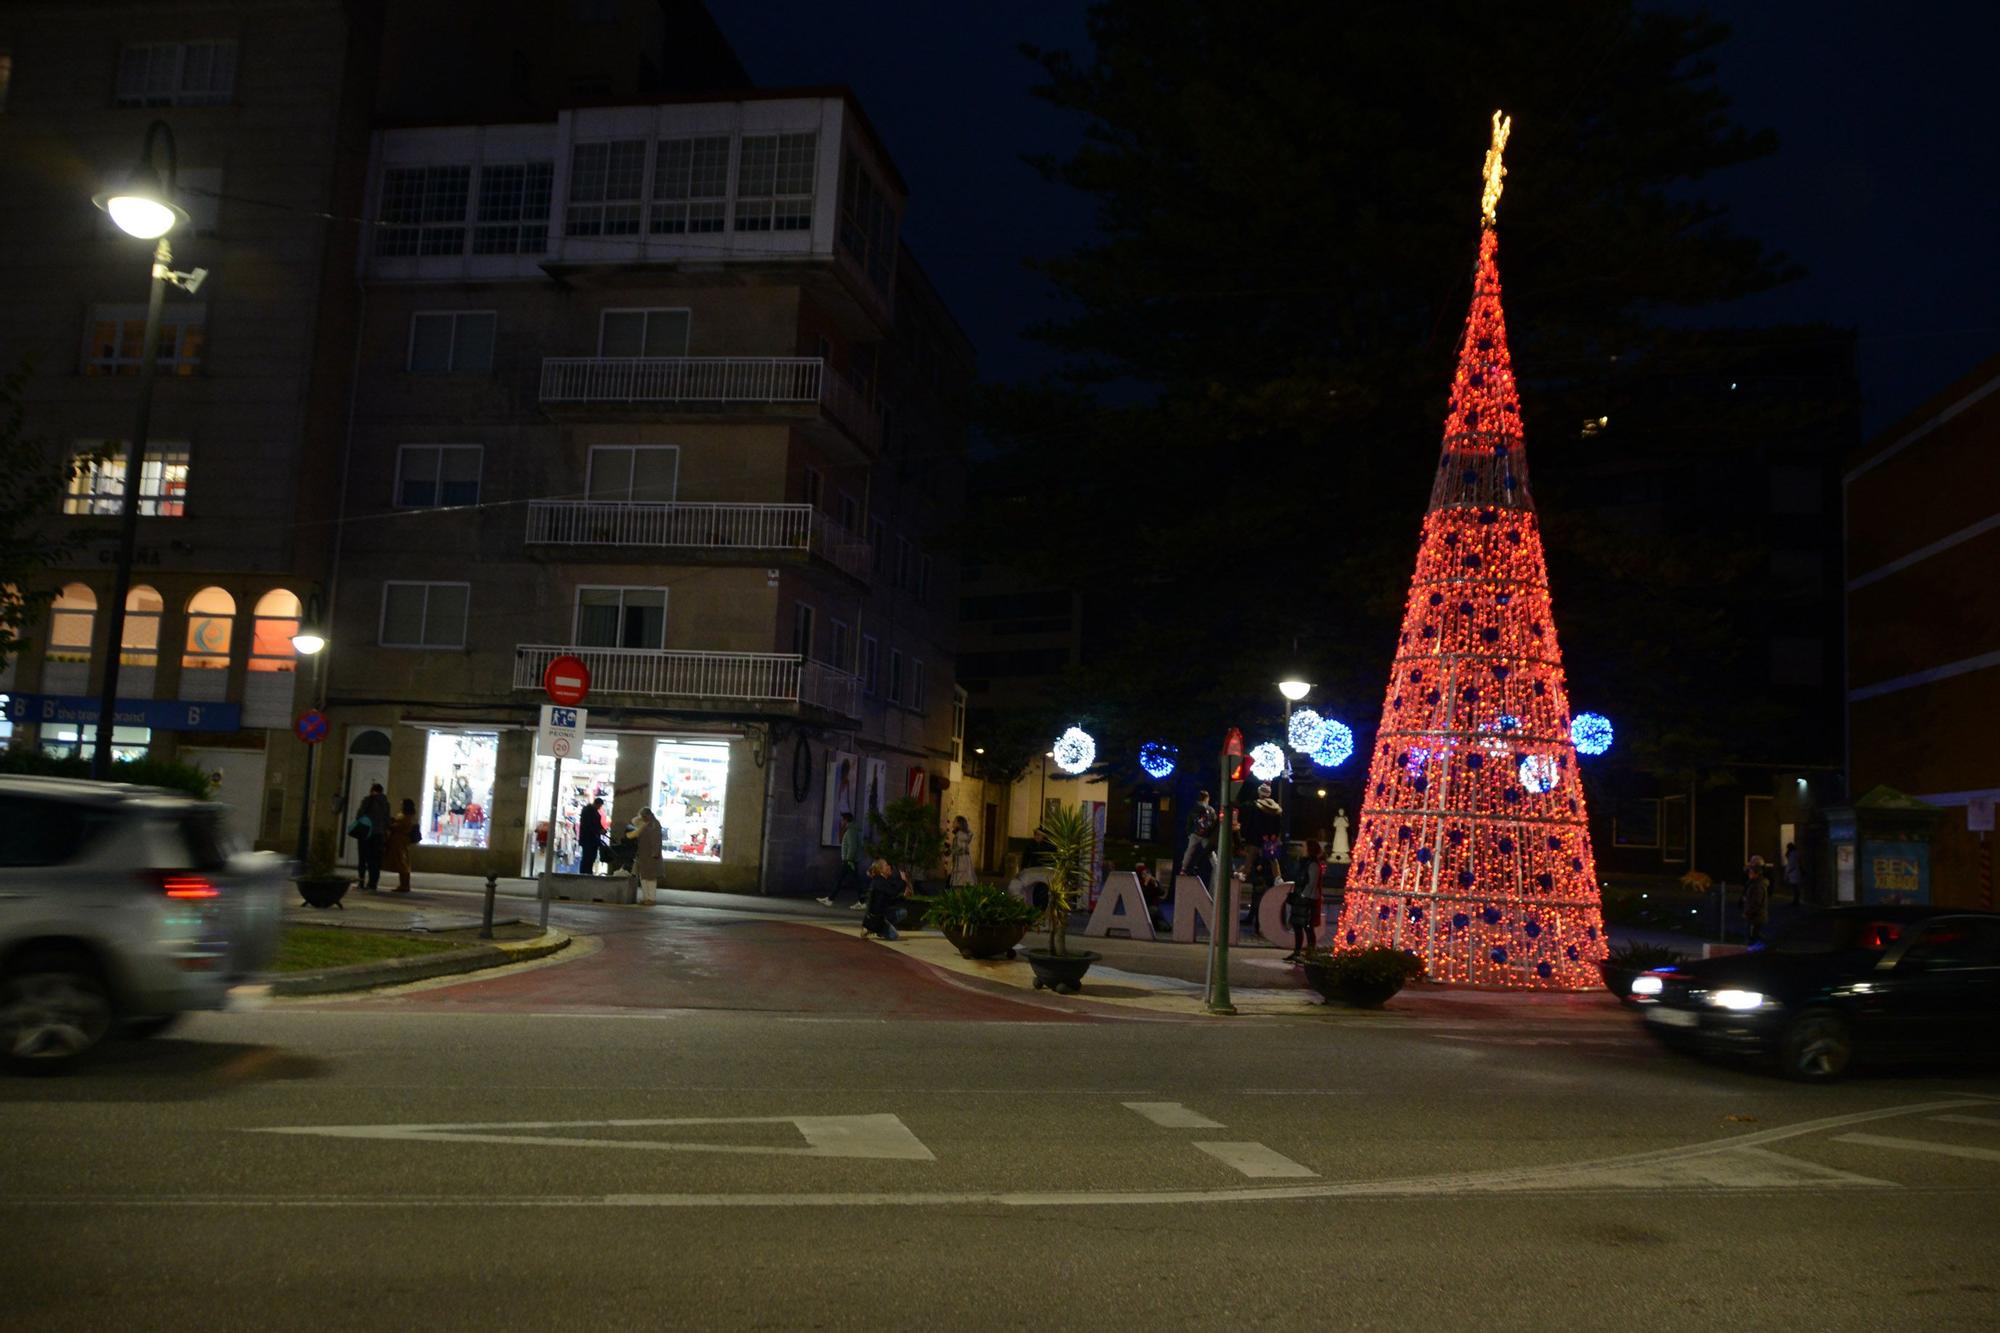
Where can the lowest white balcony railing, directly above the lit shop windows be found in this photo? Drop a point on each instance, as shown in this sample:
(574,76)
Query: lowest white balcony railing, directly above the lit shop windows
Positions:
(715,678)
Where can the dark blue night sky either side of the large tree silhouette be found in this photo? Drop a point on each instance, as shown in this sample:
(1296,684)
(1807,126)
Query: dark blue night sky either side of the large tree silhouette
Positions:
(1883,185)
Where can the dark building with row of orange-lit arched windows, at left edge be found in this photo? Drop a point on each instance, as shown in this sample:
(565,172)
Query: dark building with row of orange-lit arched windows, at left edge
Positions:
(269,109)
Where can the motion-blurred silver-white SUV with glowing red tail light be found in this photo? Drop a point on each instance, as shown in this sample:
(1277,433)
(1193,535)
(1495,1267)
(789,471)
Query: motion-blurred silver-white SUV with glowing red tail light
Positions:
(121,910)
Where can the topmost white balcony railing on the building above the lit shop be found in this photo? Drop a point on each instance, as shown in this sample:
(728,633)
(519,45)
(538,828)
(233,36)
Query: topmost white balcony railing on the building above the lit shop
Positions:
(711,381)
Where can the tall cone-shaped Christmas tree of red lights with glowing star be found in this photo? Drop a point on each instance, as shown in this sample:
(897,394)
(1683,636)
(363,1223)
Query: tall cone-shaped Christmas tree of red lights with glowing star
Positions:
(1475,852)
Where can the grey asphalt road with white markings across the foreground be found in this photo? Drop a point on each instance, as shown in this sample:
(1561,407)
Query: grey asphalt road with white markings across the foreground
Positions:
(711,1122)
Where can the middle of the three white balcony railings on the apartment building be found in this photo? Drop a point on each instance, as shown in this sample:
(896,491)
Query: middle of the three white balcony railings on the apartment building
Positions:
(699,525)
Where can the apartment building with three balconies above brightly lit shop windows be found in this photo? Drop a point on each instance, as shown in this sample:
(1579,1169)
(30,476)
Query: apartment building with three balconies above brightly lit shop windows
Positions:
(655,385)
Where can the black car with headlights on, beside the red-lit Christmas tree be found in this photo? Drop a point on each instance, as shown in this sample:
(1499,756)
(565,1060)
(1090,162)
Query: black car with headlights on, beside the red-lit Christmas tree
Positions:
(1853,984)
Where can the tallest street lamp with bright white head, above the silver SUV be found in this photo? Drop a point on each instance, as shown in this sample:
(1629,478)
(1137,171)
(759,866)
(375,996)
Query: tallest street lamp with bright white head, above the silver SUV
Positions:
(141,207)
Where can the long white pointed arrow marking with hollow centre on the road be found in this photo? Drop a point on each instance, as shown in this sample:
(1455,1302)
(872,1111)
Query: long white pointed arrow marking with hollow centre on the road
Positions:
(827,1136)
